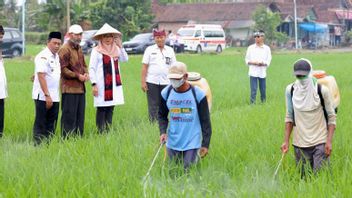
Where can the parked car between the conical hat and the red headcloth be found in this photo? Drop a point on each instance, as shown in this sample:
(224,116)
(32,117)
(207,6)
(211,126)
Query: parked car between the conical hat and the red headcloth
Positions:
(138,43)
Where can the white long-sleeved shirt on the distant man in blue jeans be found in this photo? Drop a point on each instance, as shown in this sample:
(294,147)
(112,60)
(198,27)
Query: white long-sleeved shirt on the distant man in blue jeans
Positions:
(258,54)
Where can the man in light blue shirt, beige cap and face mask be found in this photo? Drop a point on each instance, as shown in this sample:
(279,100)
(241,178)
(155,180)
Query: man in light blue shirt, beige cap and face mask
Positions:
(184,119)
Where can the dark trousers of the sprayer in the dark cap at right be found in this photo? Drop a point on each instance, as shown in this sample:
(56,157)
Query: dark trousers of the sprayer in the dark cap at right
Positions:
(314,157)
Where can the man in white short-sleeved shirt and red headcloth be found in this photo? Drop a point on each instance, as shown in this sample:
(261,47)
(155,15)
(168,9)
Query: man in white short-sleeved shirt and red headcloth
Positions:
(156,62)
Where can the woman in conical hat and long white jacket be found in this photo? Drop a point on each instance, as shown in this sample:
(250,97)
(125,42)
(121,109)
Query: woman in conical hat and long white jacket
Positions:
(104,72)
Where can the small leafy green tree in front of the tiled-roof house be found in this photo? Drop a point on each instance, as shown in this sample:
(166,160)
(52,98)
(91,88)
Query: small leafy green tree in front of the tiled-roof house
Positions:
(268,22)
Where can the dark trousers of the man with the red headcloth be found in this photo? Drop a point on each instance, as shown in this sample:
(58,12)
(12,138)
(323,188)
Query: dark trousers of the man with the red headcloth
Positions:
(154,99)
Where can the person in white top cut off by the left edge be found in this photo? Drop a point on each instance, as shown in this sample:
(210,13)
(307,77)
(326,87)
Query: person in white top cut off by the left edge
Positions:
(3,85)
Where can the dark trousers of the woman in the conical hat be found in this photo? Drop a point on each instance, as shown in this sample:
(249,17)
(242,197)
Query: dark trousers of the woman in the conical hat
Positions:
(104,118)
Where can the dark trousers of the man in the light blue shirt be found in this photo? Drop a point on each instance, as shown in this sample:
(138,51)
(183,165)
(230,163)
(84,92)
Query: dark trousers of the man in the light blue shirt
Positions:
(187,157)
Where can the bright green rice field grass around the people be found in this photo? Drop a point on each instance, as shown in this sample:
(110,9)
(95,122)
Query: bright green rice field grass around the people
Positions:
(244,149)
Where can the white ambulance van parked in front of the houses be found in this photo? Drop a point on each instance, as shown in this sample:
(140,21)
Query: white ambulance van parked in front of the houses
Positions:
(202,37)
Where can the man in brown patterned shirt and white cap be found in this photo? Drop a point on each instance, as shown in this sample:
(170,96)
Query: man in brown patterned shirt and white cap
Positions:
(74,74)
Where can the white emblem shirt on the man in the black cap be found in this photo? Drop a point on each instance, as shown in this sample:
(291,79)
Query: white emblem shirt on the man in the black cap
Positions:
(48,63)
